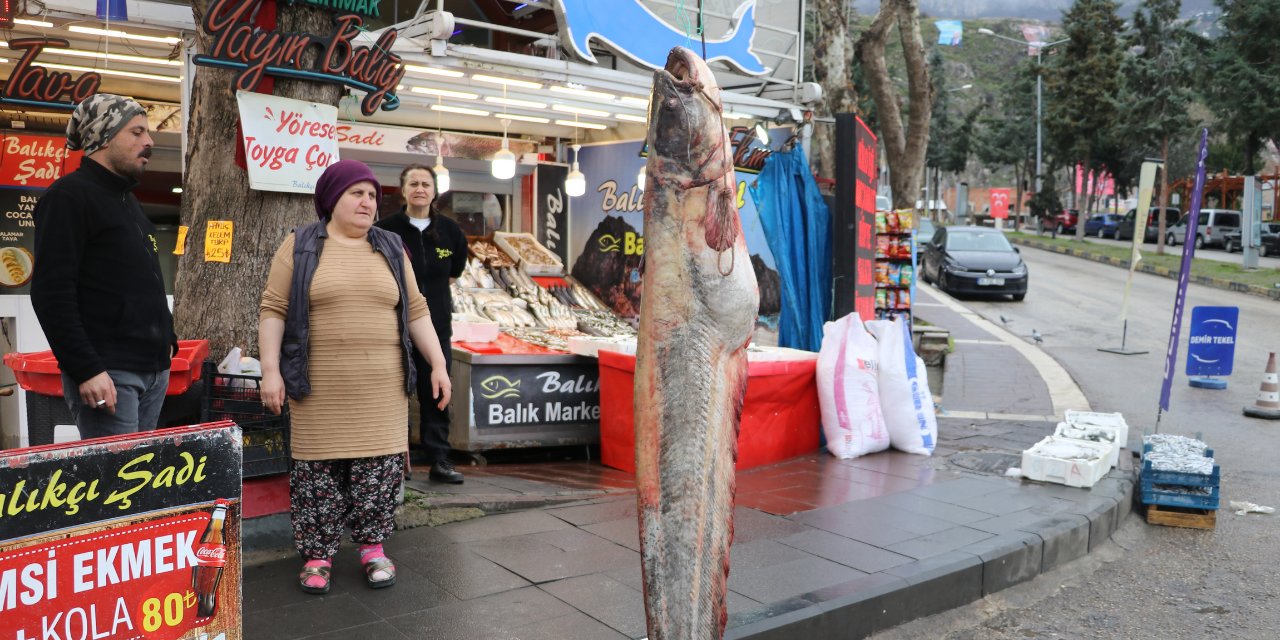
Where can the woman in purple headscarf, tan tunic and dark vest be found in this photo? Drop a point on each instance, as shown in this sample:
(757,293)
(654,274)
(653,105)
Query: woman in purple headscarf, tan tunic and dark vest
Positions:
(339,321)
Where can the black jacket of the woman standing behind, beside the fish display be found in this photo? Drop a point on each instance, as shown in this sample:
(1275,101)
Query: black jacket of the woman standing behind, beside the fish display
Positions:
(436,258)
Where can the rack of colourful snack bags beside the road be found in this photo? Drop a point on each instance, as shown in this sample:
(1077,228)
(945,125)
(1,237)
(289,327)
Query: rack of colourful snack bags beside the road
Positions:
(895,264)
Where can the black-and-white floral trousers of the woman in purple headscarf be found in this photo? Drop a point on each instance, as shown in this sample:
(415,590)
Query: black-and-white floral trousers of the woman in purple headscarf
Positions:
(328,495)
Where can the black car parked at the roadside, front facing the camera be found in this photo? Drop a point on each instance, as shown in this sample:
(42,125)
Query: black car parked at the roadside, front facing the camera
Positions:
(975,260)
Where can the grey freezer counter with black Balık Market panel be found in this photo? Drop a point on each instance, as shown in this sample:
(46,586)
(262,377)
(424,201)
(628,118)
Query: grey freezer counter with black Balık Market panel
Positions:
(504,401)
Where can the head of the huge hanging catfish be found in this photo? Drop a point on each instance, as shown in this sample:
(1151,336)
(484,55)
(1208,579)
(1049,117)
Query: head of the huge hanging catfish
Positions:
(687,126)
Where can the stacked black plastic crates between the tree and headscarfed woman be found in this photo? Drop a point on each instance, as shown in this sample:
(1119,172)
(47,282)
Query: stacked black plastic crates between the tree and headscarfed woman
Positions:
(266,436)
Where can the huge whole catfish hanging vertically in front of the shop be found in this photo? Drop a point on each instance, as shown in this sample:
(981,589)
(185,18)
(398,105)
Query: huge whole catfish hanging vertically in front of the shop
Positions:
(698,308)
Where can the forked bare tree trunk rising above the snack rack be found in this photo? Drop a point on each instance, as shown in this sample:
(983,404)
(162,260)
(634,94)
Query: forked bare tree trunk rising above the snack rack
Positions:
(904,149)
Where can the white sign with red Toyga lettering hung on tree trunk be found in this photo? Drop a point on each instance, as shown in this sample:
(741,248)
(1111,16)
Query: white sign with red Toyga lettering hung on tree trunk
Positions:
(289,144)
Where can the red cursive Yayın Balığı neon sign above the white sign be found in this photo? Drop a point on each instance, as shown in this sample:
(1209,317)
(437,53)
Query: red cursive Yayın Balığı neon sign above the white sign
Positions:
(255,53)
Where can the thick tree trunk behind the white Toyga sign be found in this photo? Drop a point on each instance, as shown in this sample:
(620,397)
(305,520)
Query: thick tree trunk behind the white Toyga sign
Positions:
(220,301)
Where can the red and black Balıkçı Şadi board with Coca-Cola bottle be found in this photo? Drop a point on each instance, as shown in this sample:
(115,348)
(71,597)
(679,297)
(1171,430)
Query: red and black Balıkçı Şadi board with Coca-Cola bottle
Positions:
(124,538)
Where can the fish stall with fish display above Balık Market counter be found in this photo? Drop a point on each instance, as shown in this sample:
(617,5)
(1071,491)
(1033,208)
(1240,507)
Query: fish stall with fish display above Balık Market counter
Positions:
(518,385)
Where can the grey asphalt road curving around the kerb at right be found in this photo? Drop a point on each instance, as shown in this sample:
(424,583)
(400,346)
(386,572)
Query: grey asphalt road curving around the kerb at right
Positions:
(1153,583)
